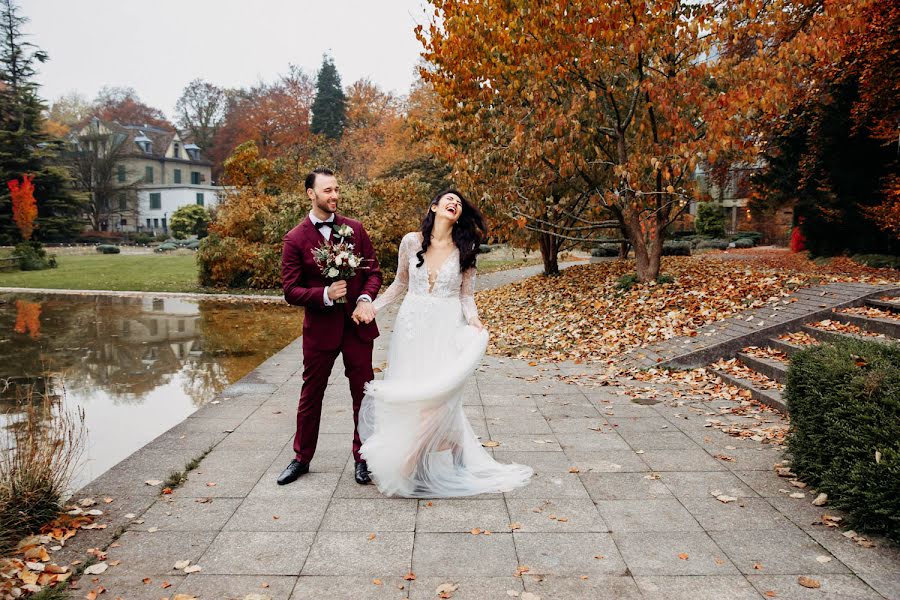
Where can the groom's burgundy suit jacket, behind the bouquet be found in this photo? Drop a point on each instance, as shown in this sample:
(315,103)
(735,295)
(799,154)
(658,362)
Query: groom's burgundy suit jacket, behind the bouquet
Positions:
(304,285)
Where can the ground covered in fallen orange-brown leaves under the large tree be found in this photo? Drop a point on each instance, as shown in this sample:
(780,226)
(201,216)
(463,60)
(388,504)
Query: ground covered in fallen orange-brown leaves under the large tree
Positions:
(584,315)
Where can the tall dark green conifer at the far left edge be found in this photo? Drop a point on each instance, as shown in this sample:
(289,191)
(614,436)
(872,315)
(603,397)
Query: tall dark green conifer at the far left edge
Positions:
(24,146)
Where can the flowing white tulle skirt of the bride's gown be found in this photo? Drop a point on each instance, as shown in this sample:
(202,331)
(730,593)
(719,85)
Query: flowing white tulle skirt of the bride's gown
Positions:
(417,440)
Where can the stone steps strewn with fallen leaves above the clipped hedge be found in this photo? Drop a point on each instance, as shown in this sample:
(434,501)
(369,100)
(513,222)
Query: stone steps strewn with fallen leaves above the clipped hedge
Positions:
(762,367)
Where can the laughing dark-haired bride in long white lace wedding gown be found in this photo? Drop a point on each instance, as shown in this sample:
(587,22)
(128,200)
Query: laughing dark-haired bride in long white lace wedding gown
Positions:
(417,440)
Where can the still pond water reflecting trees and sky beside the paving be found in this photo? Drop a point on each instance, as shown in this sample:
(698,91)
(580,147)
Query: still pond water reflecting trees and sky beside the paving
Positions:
(135,365)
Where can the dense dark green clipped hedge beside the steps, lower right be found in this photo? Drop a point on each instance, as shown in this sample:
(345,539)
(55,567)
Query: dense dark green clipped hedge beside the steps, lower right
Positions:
(844,440)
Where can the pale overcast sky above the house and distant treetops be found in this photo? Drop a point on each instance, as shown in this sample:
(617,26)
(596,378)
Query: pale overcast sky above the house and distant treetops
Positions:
(158,47)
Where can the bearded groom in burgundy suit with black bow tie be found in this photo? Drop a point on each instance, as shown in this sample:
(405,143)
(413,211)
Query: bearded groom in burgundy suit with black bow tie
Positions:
(329,328)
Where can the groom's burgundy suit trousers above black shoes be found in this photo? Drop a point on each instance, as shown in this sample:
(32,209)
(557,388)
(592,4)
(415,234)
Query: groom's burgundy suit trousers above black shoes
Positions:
(317,365)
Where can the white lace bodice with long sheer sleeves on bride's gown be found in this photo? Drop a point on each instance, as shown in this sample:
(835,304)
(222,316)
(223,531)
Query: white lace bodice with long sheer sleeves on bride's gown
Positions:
(448,282)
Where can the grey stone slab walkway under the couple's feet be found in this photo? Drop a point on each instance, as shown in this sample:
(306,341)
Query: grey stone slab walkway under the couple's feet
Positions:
(621,506)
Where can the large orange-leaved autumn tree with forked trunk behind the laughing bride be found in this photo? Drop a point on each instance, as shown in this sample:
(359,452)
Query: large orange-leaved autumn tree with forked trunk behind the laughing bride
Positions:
(550,106)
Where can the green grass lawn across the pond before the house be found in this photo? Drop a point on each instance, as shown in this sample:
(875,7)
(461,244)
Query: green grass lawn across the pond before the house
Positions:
(121,272)
